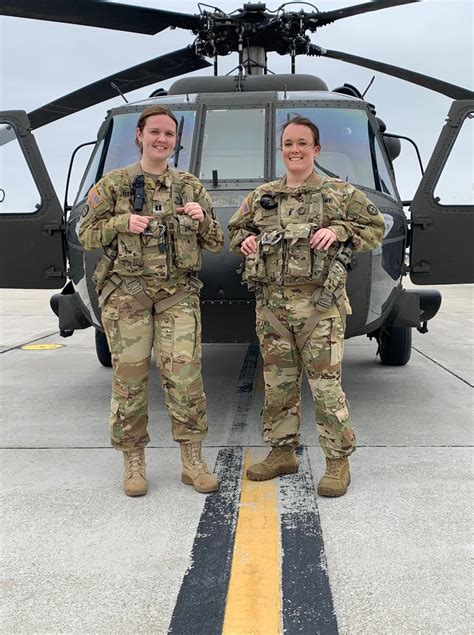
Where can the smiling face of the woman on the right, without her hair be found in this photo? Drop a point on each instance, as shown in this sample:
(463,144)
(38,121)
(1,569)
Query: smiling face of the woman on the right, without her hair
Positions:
(298,149)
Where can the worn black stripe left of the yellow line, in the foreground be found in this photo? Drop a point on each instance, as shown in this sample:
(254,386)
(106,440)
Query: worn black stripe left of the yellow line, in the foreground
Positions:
(200,607)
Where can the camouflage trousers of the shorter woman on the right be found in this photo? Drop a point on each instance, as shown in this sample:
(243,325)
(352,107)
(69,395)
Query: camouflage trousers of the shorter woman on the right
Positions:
(283,364)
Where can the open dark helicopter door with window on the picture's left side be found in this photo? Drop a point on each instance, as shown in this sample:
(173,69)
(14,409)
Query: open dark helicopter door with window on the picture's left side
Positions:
(31,232)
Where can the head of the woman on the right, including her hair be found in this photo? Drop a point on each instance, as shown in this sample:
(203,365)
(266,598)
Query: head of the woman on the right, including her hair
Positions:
(300,145)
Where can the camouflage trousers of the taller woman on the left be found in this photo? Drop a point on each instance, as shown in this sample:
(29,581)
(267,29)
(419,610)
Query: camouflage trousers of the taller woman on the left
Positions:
(175,336)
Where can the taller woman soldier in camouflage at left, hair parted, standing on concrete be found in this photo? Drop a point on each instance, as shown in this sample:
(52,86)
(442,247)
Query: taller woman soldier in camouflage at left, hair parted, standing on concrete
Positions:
(152,222)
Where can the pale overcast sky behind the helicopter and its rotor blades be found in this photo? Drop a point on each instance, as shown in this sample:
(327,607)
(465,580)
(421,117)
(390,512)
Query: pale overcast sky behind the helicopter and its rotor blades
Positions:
(41,61)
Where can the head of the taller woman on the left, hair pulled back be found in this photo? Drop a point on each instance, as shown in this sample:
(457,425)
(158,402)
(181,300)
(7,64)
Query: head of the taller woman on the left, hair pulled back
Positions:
(156,133)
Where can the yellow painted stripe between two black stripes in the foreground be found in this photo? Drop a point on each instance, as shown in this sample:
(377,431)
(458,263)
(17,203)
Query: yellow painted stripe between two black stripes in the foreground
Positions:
(254,599)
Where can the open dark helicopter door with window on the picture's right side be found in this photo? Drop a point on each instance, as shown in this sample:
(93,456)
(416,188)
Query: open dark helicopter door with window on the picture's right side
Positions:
(442,210)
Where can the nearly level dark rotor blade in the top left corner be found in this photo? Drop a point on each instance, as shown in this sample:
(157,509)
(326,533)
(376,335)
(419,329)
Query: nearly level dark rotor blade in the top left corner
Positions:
(100,13)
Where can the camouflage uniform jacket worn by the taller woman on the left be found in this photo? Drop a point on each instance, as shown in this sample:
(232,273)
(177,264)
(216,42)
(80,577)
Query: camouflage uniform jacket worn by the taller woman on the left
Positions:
(169,257)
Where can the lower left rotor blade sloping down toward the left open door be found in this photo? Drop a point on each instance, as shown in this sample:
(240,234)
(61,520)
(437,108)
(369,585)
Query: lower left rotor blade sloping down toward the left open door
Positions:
(164,67)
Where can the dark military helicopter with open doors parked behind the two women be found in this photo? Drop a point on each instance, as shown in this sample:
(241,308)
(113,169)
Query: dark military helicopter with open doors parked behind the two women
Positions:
(41,249)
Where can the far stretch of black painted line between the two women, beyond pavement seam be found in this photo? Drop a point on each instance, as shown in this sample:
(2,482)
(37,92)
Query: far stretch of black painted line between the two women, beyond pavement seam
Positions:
(245,390)
